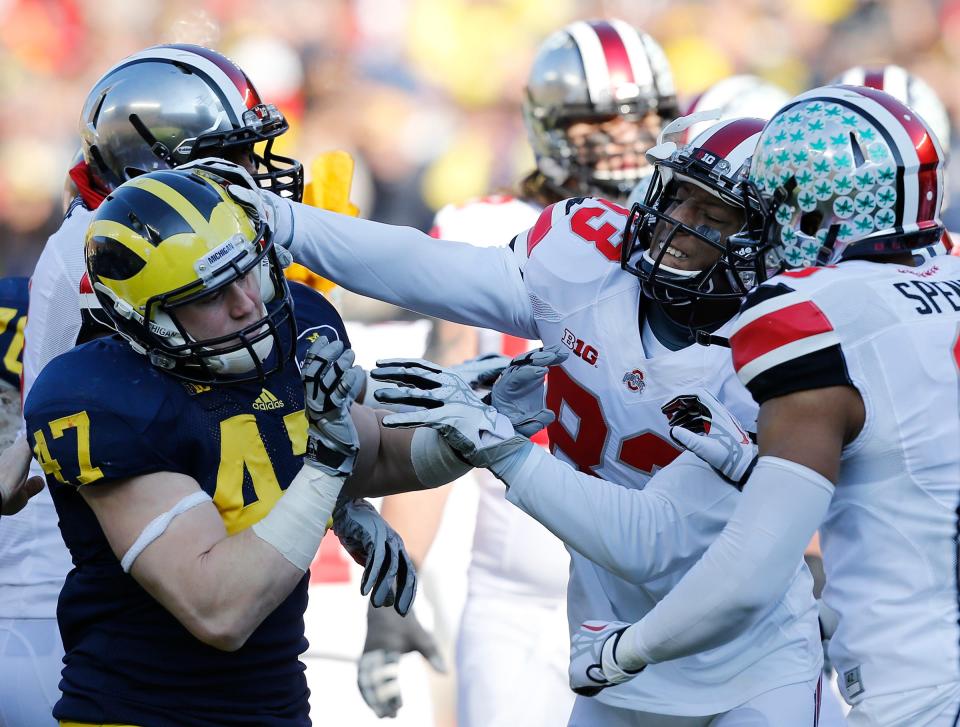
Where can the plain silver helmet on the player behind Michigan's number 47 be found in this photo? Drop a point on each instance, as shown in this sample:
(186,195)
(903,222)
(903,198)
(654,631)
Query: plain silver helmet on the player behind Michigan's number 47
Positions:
(169,104)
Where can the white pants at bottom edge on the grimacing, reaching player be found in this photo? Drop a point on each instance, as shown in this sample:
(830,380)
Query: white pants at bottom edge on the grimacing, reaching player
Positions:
(794,705)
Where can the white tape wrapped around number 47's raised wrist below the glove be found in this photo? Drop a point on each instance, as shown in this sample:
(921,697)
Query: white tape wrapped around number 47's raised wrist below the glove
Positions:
(298,521)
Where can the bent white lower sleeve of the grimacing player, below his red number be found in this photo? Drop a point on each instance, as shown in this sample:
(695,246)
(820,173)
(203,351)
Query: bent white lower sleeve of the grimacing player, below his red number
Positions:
(638,535)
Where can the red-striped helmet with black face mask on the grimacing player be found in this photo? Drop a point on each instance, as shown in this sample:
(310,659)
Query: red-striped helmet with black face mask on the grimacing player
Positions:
(718,161)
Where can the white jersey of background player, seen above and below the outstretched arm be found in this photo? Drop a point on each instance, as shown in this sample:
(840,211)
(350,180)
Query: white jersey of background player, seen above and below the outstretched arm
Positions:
(512,553)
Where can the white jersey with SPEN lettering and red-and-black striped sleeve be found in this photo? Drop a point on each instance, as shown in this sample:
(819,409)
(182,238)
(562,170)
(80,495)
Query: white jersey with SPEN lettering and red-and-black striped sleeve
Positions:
(890,538)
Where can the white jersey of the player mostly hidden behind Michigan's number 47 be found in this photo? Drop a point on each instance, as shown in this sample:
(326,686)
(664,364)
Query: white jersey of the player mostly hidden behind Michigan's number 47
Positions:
(33,559)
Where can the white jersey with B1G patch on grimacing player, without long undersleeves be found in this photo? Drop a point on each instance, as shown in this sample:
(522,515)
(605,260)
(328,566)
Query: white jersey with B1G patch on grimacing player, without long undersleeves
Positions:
(607,396)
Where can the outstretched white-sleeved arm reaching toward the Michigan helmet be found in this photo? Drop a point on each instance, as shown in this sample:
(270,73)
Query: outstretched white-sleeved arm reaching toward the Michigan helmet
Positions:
(401,265)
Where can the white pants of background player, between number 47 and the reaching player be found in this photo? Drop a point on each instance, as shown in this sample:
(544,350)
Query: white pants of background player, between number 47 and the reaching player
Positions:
(512,655)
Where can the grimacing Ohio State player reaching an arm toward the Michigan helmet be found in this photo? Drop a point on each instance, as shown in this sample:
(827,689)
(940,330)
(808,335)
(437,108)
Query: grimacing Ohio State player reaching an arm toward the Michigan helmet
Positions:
(562,281)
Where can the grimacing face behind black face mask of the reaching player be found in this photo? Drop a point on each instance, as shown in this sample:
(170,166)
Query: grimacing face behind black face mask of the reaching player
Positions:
(694,206)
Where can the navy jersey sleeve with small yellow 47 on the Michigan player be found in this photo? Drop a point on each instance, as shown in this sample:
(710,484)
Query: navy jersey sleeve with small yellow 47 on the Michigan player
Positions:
(87,425)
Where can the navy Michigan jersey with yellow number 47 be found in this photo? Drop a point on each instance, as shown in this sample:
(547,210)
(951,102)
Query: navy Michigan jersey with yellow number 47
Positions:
(100,413)
